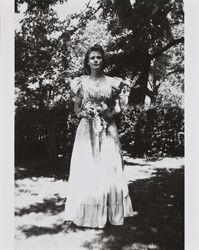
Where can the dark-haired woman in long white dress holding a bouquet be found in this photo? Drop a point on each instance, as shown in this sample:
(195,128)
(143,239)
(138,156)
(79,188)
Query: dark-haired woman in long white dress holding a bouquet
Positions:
(98,191)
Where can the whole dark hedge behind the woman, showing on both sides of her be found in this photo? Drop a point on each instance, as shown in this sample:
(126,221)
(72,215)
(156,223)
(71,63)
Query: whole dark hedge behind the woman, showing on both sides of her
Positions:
(156,132)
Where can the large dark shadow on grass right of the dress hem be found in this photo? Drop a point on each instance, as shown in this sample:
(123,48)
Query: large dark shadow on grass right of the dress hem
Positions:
(160,221)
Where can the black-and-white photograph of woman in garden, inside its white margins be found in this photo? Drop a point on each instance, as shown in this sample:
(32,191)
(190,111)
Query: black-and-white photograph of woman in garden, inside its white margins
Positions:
(99,124)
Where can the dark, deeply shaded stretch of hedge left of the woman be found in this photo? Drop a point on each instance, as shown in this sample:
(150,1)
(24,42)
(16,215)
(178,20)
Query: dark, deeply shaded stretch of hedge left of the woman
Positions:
(49,133)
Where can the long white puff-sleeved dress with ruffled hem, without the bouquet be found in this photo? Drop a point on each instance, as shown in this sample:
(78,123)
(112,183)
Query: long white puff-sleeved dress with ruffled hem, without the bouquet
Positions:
(97,189)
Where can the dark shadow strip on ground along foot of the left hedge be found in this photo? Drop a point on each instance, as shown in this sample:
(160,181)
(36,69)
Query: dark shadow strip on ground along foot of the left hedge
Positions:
(41,168)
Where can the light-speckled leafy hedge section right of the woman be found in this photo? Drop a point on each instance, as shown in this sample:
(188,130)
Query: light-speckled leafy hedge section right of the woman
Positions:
(158,131)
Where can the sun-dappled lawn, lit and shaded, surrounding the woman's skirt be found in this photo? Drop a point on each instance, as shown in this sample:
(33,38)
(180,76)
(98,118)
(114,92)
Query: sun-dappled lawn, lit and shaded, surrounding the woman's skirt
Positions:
(156,189)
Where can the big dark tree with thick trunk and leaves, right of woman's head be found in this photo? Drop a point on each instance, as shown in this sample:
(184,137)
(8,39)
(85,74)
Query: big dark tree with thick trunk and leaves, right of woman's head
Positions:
(143,31)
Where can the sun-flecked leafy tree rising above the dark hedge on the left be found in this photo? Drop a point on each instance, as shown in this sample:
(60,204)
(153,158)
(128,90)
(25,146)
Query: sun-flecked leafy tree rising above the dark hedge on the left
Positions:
(41,59)
